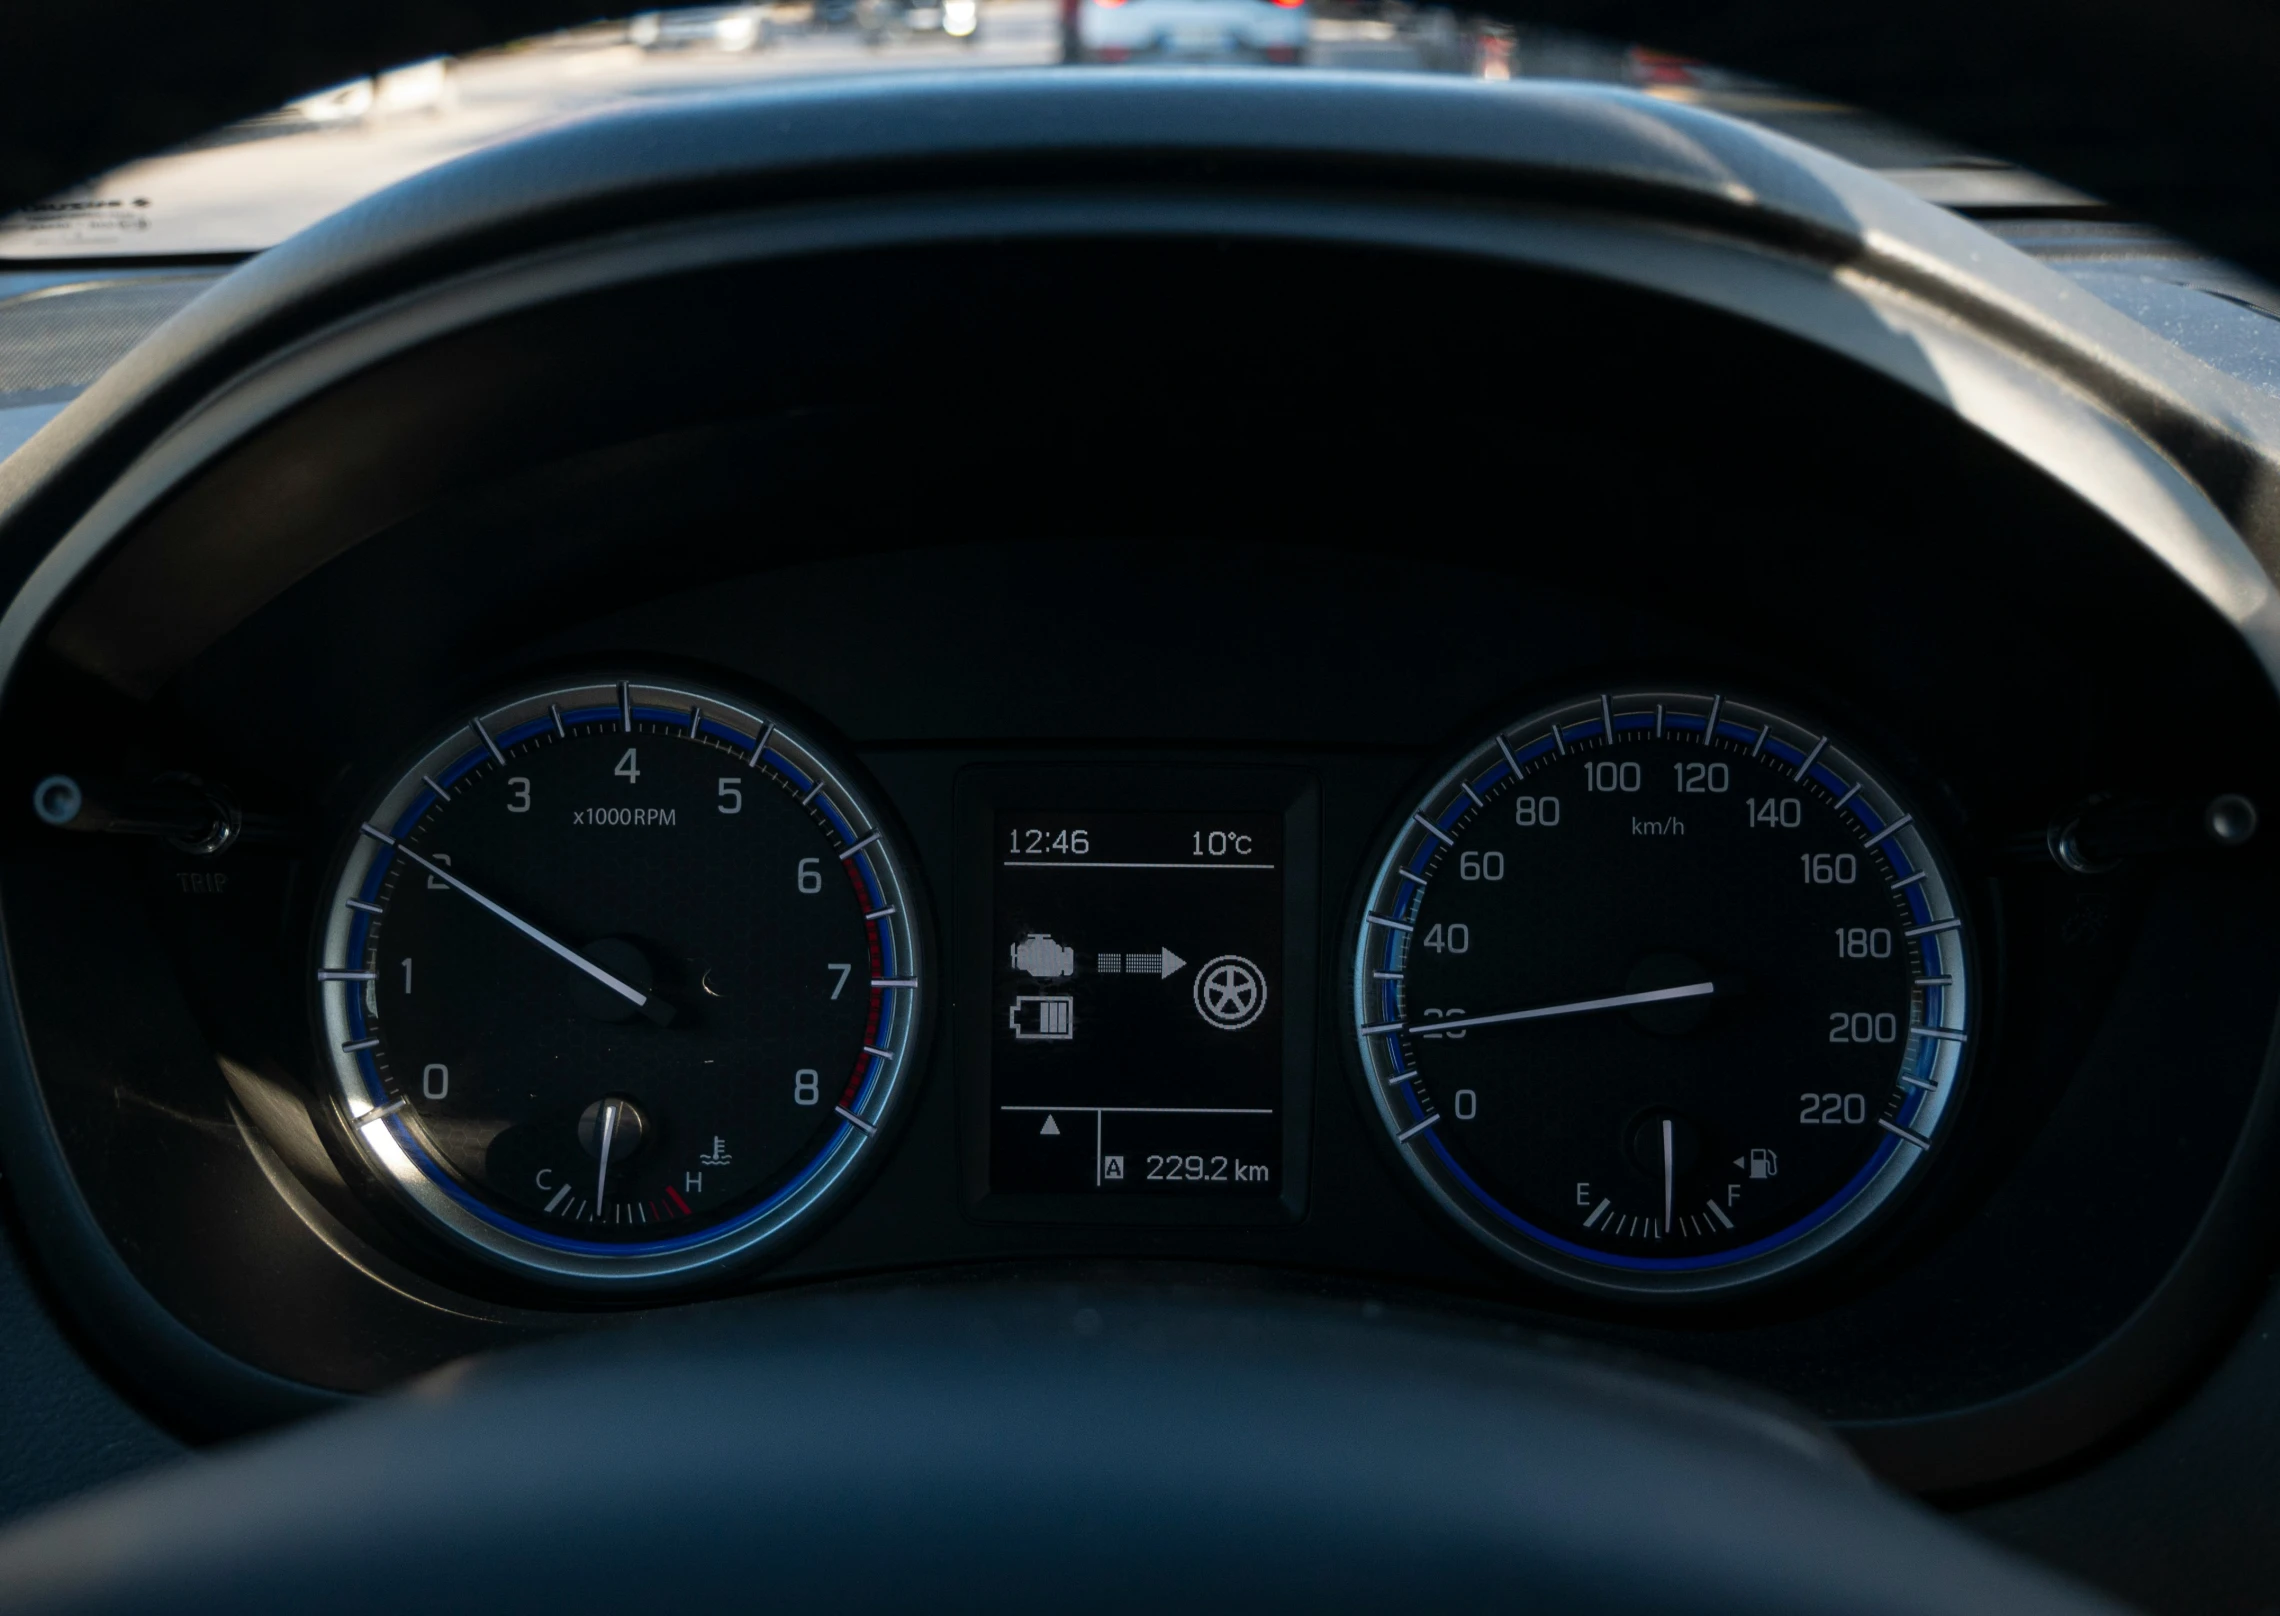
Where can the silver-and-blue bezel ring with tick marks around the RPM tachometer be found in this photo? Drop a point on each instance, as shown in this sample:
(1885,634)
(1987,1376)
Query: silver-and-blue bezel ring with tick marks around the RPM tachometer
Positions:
(402,1161)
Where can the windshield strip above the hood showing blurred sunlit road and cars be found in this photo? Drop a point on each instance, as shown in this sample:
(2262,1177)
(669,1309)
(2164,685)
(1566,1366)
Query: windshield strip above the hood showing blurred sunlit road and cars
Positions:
(254,183)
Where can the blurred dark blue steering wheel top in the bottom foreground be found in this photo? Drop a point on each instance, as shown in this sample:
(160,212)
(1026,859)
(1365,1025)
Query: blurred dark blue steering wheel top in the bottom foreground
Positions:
(1002,1446)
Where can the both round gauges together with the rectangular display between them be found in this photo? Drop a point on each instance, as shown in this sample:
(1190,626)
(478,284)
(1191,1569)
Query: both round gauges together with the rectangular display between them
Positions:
(1652,990)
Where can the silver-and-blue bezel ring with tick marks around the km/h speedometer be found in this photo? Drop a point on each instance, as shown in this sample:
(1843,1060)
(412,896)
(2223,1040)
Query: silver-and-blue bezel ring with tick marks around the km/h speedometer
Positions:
(1941,1061)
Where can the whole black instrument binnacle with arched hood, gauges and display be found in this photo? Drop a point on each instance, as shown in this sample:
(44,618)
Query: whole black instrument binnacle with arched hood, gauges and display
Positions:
(1663,776)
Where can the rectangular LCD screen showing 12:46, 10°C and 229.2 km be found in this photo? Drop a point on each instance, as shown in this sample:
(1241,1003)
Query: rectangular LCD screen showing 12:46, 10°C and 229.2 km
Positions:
(1137,1040)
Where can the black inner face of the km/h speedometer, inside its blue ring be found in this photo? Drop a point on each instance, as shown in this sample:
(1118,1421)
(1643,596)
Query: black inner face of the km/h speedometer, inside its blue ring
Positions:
(1583,913)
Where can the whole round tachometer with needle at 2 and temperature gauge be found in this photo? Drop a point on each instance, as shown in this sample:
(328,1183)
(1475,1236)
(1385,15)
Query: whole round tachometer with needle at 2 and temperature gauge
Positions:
(619,981)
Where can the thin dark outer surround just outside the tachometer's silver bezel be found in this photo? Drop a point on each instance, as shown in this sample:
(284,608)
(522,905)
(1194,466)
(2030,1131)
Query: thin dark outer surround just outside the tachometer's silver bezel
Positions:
(375,1211)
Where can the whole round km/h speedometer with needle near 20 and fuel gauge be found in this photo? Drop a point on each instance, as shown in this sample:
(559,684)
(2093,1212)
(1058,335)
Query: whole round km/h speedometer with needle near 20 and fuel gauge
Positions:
(1661,993)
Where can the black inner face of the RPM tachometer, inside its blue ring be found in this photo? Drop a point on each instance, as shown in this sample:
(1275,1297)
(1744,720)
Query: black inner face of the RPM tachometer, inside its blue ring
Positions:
(706,899)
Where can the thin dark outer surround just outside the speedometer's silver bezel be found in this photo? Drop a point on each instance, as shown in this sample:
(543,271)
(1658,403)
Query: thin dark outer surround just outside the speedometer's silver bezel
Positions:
(1946,1186)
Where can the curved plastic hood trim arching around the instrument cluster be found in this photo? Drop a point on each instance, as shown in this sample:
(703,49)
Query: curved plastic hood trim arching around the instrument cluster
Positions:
(1595,183)
